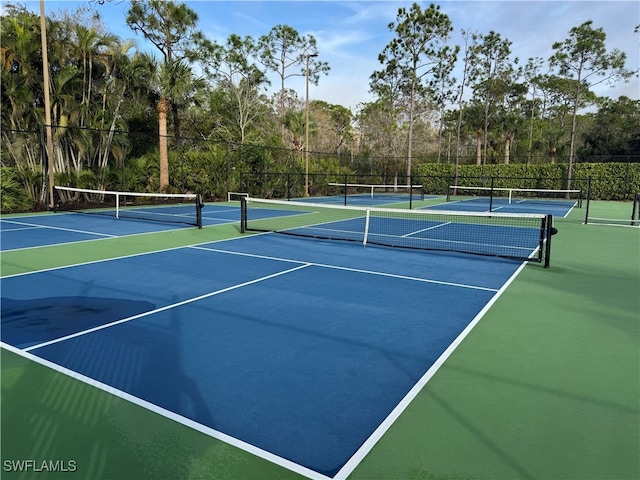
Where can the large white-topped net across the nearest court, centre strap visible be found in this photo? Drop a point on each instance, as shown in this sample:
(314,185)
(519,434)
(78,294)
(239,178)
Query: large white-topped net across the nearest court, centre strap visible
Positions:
(515,236)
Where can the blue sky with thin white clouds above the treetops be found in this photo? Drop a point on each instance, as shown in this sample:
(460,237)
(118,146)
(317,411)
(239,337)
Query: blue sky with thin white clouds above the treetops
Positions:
(351,34)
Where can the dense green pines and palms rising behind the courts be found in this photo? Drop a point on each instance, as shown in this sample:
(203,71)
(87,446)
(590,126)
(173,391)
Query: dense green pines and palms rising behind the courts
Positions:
(198,116)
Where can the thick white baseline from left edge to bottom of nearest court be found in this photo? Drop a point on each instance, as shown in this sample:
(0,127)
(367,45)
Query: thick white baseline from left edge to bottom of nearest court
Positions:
(223,437)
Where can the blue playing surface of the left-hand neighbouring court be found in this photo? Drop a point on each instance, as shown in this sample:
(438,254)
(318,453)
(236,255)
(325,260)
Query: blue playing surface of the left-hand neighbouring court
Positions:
(57,228)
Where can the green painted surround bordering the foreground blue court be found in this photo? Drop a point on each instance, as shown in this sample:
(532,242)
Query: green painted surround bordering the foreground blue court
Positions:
(546,385)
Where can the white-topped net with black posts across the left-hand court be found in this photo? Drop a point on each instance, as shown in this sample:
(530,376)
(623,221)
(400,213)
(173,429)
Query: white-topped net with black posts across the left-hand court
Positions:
(157,207)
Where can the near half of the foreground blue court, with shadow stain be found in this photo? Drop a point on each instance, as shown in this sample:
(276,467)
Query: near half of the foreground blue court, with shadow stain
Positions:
(294,349)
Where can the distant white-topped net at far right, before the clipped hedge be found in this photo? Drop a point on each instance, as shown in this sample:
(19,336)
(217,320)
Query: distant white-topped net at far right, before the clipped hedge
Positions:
(512,196)
